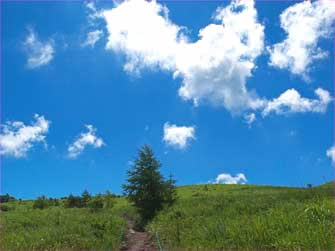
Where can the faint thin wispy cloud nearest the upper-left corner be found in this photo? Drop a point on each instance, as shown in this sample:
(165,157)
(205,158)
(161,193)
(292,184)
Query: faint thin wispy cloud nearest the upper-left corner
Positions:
(38,53)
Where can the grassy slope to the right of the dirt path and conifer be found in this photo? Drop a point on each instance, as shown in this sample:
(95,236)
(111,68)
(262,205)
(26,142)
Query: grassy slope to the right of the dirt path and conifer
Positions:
(248,217)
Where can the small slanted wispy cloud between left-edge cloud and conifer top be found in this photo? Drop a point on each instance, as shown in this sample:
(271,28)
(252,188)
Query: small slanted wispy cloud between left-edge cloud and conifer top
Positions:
(85,139)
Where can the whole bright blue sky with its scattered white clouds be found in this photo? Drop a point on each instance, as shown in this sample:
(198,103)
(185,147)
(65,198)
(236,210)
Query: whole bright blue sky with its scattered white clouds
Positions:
(224,92)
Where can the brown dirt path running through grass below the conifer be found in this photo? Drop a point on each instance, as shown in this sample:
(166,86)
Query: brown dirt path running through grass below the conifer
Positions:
(137,240)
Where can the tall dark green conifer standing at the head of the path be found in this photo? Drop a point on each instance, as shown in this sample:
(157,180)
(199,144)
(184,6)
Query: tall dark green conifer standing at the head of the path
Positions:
(146,187)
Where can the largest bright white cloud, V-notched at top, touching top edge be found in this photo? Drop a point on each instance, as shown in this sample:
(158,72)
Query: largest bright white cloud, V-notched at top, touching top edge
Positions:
(213,69)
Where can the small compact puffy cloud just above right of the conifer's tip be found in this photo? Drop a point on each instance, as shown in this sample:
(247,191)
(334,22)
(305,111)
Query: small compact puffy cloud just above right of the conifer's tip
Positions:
(178,136)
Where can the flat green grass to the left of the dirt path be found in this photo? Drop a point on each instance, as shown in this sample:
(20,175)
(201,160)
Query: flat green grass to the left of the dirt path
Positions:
(57,227)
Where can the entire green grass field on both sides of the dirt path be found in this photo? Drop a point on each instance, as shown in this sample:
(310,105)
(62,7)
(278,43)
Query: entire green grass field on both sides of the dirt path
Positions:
(244,217)
